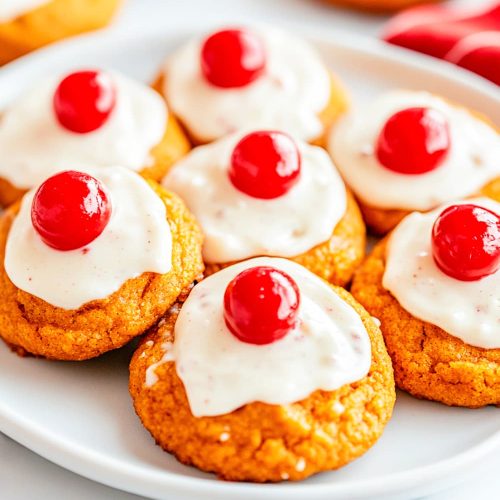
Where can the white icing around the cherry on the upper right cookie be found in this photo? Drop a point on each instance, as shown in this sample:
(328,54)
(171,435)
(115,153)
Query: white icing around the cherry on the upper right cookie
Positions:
(471,162)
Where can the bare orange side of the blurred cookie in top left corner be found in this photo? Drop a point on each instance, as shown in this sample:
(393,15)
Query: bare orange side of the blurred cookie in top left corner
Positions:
(53,21)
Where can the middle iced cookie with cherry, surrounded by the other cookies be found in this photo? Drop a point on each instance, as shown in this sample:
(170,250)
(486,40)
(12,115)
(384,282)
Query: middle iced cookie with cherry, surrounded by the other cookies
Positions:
(264,193)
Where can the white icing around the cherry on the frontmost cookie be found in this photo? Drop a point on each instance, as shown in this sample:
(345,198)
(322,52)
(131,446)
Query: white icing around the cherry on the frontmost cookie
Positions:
(328,349)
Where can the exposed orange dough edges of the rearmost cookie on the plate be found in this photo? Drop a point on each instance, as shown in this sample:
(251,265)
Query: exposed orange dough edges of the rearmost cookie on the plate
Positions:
(337,105)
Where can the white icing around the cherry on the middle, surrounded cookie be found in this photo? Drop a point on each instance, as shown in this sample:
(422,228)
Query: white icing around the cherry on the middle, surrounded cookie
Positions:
(237,226)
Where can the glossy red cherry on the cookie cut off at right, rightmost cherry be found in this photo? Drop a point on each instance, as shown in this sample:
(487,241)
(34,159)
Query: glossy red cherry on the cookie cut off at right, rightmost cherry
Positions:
(466,242)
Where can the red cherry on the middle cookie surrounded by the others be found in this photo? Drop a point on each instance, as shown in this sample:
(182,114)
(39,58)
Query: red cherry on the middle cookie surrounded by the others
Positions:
(265,164)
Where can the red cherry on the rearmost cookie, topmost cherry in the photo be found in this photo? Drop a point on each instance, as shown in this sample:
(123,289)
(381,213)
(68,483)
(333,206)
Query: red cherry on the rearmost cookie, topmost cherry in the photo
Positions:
(232,58)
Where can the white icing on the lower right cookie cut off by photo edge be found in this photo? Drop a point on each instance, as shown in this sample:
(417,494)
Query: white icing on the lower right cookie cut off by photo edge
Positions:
(469,310)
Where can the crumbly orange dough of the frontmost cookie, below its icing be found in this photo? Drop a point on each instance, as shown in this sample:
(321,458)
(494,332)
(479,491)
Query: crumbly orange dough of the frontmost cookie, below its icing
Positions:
(261,442)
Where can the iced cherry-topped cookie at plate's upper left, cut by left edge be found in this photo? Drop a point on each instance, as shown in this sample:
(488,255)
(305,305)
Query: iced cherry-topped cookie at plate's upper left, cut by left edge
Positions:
(85,119)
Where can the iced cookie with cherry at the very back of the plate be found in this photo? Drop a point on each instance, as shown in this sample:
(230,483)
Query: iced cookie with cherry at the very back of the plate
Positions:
(256,77)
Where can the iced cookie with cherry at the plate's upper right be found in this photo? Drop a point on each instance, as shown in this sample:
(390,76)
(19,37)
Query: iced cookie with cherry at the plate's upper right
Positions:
(411,151)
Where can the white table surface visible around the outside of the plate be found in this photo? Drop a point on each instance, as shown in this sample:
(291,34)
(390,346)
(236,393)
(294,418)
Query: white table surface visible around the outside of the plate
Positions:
(24,475)
